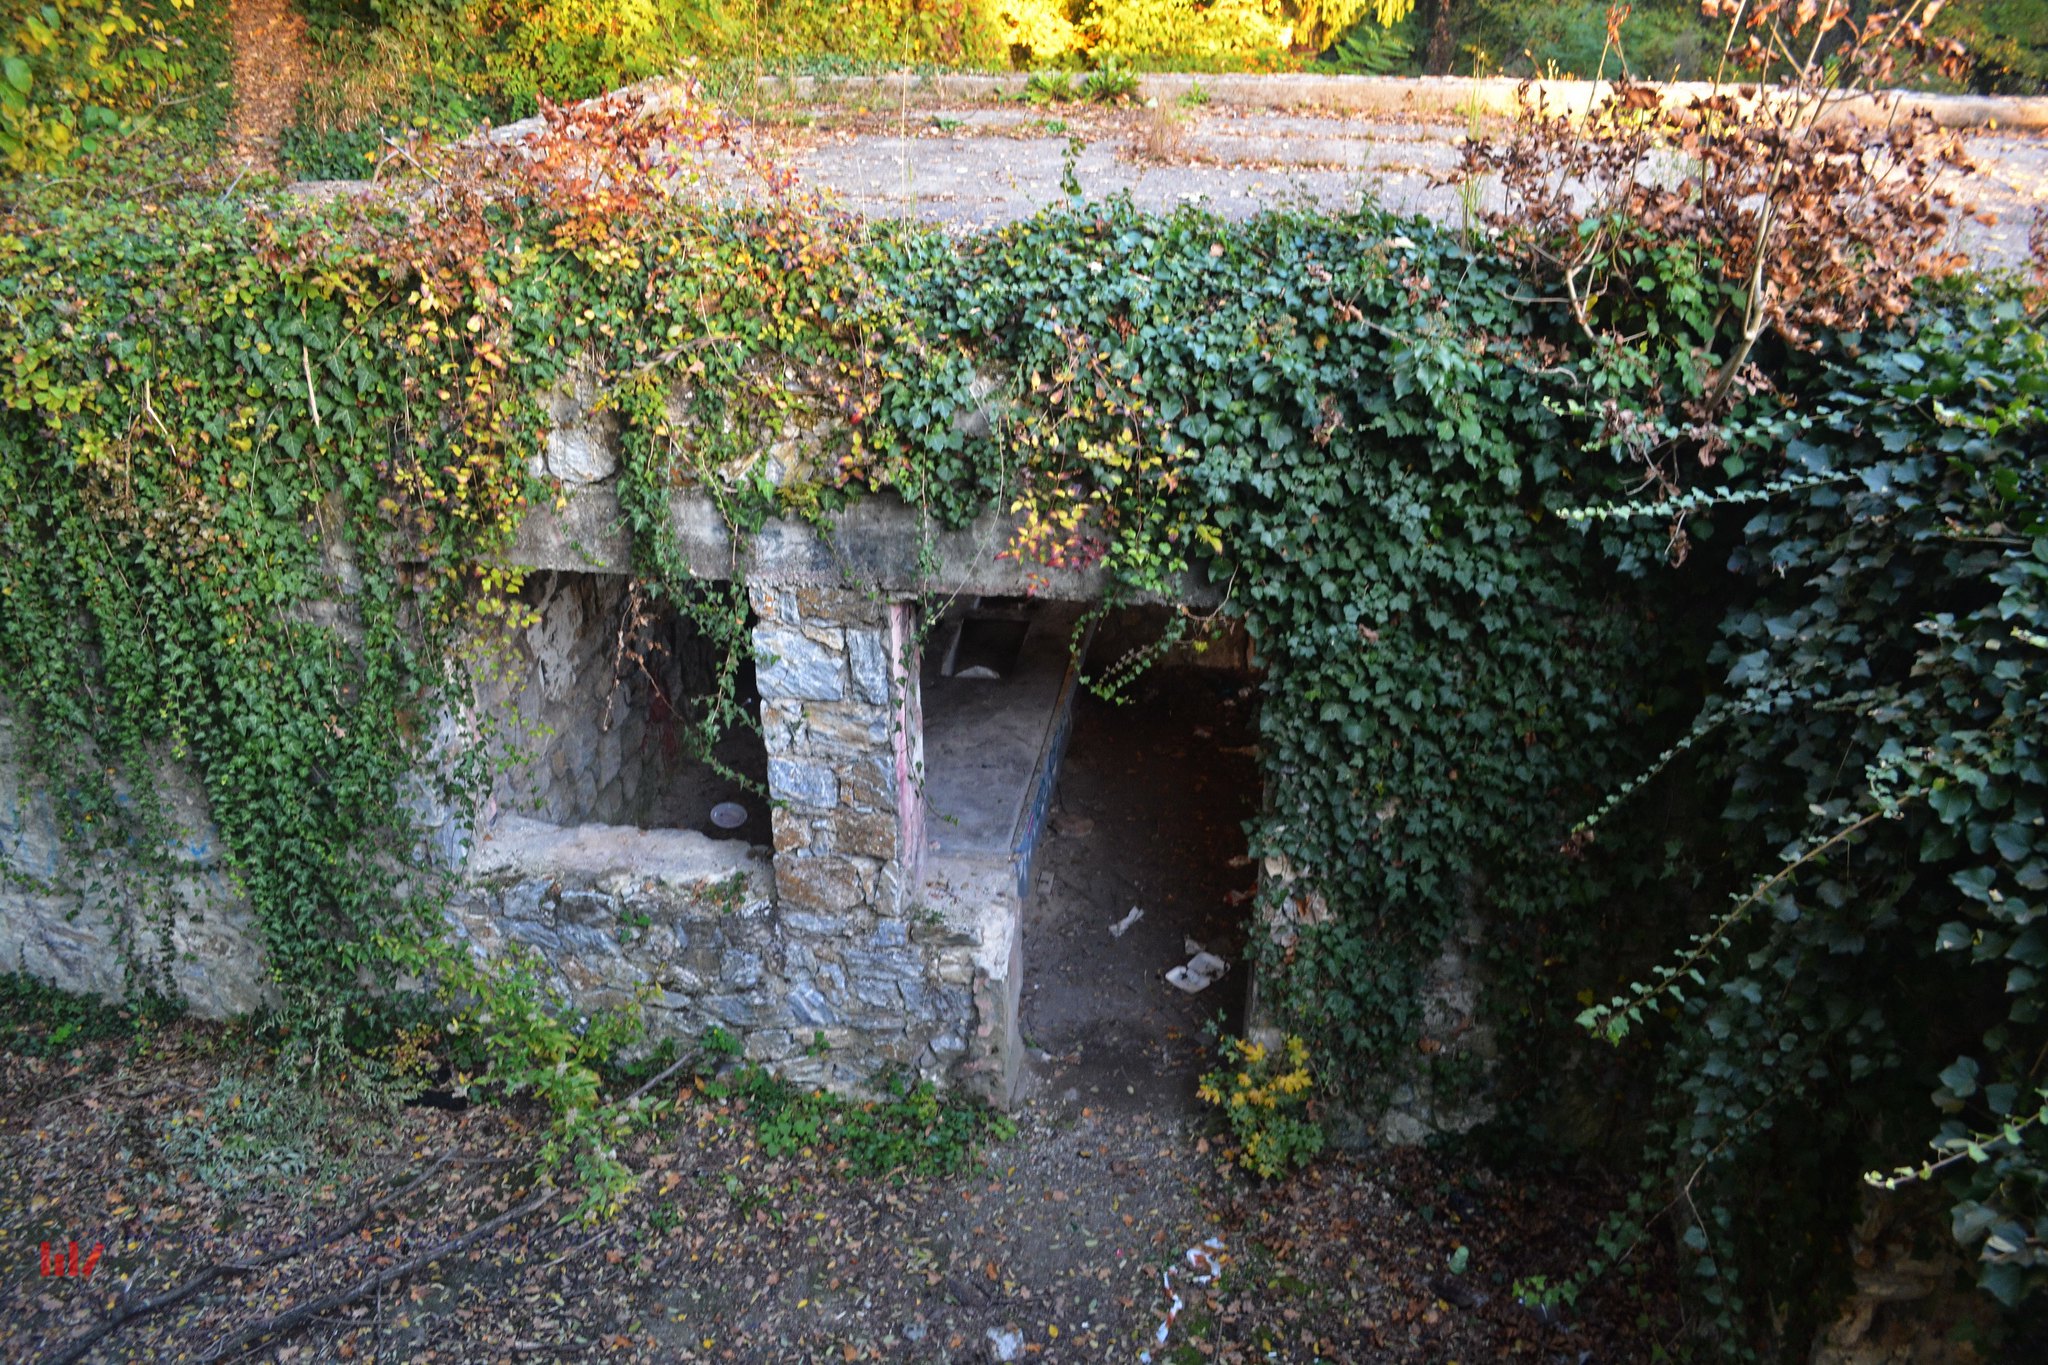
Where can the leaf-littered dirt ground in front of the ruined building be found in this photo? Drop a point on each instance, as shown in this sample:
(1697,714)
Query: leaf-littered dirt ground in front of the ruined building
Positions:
(1052,1251)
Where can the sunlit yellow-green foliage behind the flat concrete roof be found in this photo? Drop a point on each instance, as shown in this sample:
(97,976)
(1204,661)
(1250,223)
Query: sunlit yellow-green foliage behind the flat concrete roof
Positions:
(413,64)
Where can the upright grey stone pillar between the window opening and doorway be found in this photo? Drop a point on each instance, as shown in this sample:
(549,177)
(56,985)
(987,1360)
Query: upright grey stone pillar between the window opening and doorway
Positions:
(845,738)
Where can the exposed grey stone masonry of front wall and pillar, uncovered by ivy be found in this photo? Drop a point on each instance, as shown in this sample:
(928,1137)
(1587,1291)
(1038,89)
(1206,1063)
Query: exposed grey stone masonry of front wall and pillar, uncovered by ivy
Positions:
(830,938)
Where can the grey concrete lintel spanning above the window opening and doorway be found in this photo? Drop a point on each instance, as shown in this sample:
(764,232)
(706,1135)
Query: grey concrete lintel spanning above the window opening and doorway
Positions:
(878,543)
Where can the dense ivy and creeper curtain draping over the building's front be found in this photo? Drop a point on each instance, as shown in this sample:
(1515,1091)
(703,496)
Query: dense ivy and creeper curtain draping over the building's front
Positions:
(1455,482)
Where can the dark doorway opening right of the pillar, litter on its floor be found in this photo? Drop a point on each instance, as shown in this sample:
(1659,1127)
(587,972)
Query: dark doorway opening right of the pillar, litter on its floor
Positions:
(1150,816)
